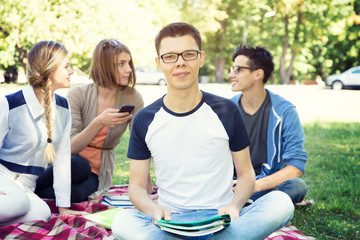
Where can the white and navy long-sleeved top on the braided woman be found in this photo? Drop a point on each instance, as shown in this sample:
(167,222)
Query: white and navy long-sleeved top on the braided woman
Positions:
(23,139)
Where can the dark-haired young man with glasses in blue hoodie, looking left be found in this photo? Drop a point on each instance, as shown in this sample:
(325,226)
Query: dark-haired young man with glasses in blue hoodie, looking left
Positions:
(277,137)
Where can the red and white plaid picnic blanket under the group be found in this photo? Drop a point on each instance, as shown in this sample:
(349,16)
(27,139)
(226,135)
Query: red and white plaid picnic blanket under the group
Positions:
(79,228)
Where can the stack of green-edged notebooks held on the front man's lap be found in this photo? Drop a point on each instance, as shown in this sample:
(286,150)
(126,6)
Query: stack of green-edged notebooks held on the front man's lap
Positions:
(198,228)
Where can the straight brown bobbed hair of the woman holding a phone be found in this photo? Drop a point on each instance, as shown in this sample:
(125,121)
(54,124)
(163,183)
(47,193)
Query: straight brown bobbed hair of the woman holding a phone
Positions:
(103,69)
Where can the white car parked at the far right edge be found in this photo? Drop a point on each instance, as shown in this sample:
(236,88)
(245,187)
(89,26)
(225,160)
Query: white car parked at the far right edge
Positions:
(349,78)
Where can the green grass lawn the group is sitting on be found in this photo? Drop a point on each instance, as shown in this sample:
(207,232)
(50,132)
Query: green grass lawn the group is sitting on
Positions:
(332,175)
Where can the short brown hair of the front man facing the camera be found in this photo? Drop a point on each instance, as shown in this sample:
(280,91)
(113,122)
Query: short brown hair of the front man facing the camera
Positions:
(177,29)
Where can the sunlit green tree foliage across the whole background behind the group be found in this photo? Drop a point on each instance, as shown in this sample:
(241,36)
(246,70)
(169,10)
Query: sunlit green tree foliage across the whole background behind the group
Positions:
(323,35)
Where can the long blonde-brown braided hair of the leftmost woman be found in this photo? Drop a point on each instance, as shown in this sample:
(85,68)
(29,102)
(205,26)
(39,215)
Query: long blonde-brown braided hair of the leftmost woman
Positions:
(43,59)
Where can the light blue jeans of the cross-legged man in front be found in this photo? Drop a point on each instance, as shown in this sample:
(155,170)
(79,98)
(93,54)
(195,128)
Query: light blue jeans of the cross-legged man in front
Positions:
(257,221)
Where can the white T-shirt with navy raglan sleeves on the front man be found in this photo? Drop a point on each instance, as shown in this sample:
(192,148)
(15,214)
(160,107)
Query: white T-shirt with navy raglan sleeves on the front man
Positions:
(191,152)
